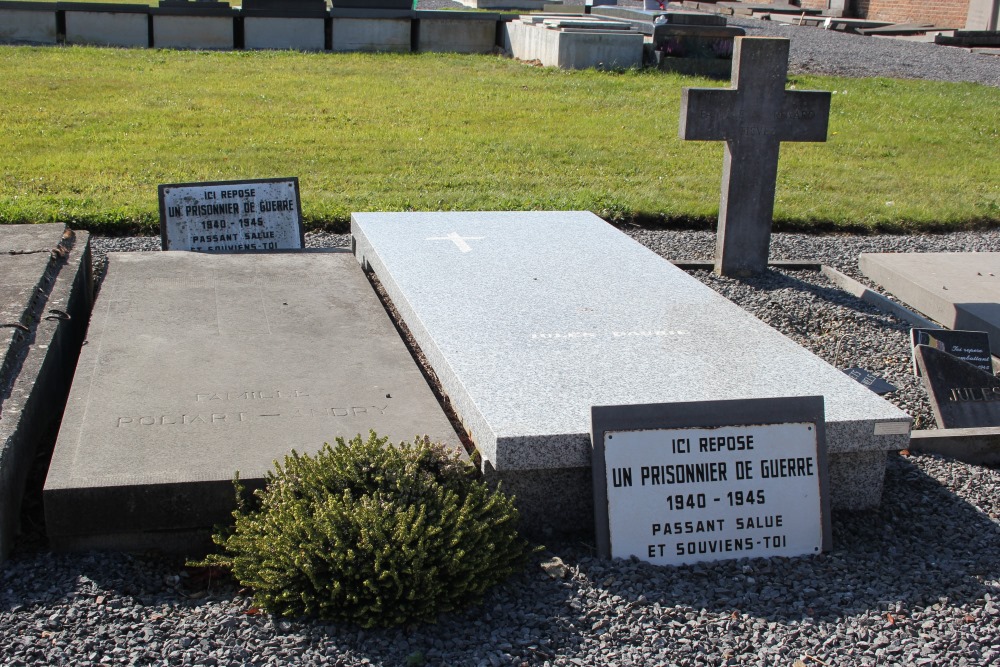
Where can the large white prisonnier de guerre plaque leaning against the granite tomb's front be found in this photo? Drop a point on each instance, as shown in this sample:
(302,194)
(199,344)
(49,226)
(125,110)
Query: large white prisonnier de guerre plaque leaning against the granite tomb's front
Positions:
(689,482)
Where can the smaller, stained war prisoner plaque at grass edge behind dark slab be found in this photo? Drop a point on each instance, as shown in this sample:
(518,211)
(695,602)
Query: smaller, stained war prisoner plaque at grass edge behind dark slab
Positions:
(232,216)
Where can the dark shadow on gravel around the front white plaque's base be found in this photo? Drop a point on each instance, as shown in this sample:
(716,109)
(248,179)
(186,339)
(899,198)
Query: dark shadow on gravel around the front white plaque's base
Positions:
(922,544)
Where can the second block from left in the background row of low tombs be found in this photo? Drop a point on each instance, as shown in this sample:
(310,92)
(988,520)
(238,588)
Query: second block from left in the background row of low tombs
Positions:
(106,25)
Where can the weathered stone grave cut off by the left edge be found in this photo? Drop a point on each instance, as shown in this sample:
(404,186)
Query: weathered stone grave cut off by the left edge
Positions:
(45,299)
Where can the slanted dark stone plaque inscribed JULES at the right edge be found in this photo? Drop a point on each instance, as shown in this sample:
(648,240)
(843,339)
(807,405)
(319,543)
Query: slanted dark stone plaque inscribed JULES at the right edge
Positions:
(962,395)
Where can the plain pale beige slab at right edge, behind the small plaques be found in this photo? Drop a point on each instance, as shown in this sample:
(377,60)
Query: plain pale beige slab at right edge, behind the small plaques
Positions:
(960,290)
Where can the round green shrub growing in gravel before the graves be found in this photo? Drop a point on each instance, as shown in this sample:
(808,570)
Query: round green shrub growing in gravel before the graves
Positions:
(373,534)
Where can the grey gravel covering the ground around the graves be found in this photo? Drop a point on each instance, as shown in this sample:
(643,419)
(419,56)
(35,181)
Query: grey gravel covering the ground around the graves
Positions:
(912,582)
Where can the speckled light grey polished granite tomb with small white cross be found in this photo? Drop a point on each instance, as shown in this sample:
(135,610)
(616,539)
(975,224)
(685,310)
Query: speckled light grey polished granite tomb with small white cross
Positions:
(531,318)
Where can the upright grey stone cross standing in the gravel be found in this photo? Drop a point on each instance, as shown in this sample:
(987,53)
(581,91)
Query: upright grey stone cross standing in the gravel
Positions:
(753,117)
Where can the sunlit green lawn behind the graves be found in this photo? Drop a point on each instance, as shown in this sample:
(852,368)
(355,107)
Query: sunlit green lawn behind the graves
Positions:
(89,133)
